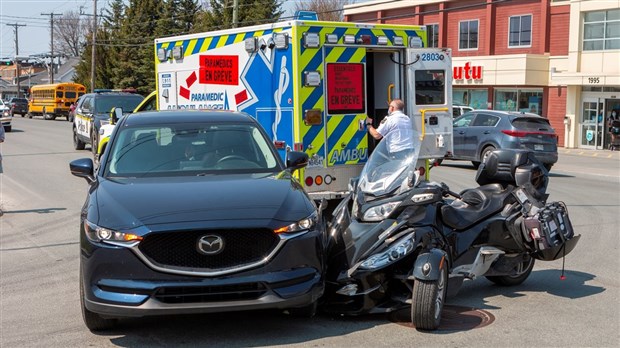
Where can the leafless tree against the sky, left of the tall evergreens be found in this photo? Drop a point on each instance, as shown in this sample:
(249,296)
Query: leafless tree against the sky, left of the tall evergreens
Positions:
(70,32)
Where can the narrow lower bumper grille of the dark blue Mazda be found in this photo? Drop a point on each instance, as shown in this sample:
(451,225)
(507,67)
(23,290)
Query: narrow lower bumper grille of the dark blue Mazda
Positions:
(202,294)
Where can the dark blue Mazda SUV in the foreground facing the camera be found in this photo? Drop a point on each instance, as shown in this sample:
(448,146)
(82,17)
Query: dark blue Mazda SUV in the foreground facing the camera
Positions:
(194,212)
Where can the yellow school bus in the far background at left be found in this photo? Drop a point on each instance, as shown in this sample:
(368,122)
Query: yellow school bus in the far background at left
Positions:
(54,100)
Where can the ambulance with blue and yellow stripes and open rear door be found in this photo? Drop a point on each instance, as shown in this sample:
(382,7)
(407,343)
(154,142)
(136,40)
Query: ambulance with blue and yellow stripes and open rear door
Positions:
(312,84)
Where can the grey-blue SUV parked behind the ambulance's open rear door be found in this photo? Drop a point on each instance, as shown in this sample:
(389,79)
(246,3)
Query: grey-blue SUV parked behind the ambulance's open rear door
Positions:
(477,133)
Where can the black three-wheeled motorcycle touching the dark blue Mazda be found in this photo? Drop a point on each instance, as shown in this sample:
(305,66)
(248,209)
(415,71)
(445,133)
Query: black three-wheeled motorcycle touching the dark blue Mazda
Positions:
(400,240)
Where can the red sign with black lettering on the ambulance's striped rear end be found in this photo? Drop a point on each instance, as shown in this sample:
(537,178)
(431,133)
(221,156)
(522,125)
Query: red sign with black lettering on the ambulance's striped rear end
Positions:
(345,88)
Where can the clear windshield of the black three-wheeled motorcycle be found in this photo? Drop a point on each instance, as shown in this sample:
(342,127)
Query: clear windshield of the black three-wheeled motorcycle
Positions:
(389,167)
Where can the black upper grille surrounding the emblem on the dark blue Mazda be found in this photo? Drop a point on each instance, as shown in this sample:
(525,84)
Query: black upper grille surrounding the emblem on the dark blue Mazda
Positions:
(179,249)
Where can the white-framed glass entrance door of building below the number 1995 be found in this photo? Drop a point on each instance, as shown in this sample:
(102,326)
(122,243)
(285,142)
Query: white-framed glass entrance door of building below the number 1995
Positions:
(592,124)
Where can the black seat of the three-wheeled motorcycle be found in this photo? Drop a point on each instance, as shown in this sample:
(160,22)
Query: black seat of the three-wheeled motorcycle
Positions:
(475,204)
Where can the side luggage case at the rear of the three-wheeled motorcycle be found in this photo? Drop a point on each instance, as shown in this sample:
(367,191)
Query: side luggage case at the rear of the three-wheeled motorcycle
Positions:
(550,233)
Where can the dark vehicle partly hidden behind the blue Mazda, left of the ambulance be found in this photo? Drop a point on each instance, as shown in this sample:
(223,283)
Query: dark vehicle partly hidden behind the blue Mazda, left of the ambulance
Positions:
(93,111)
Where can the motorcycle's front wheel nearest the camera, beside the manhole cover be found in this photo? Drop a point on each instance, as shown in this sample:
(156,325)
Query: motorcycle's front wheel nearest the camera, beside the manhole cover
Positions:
(427,300)
